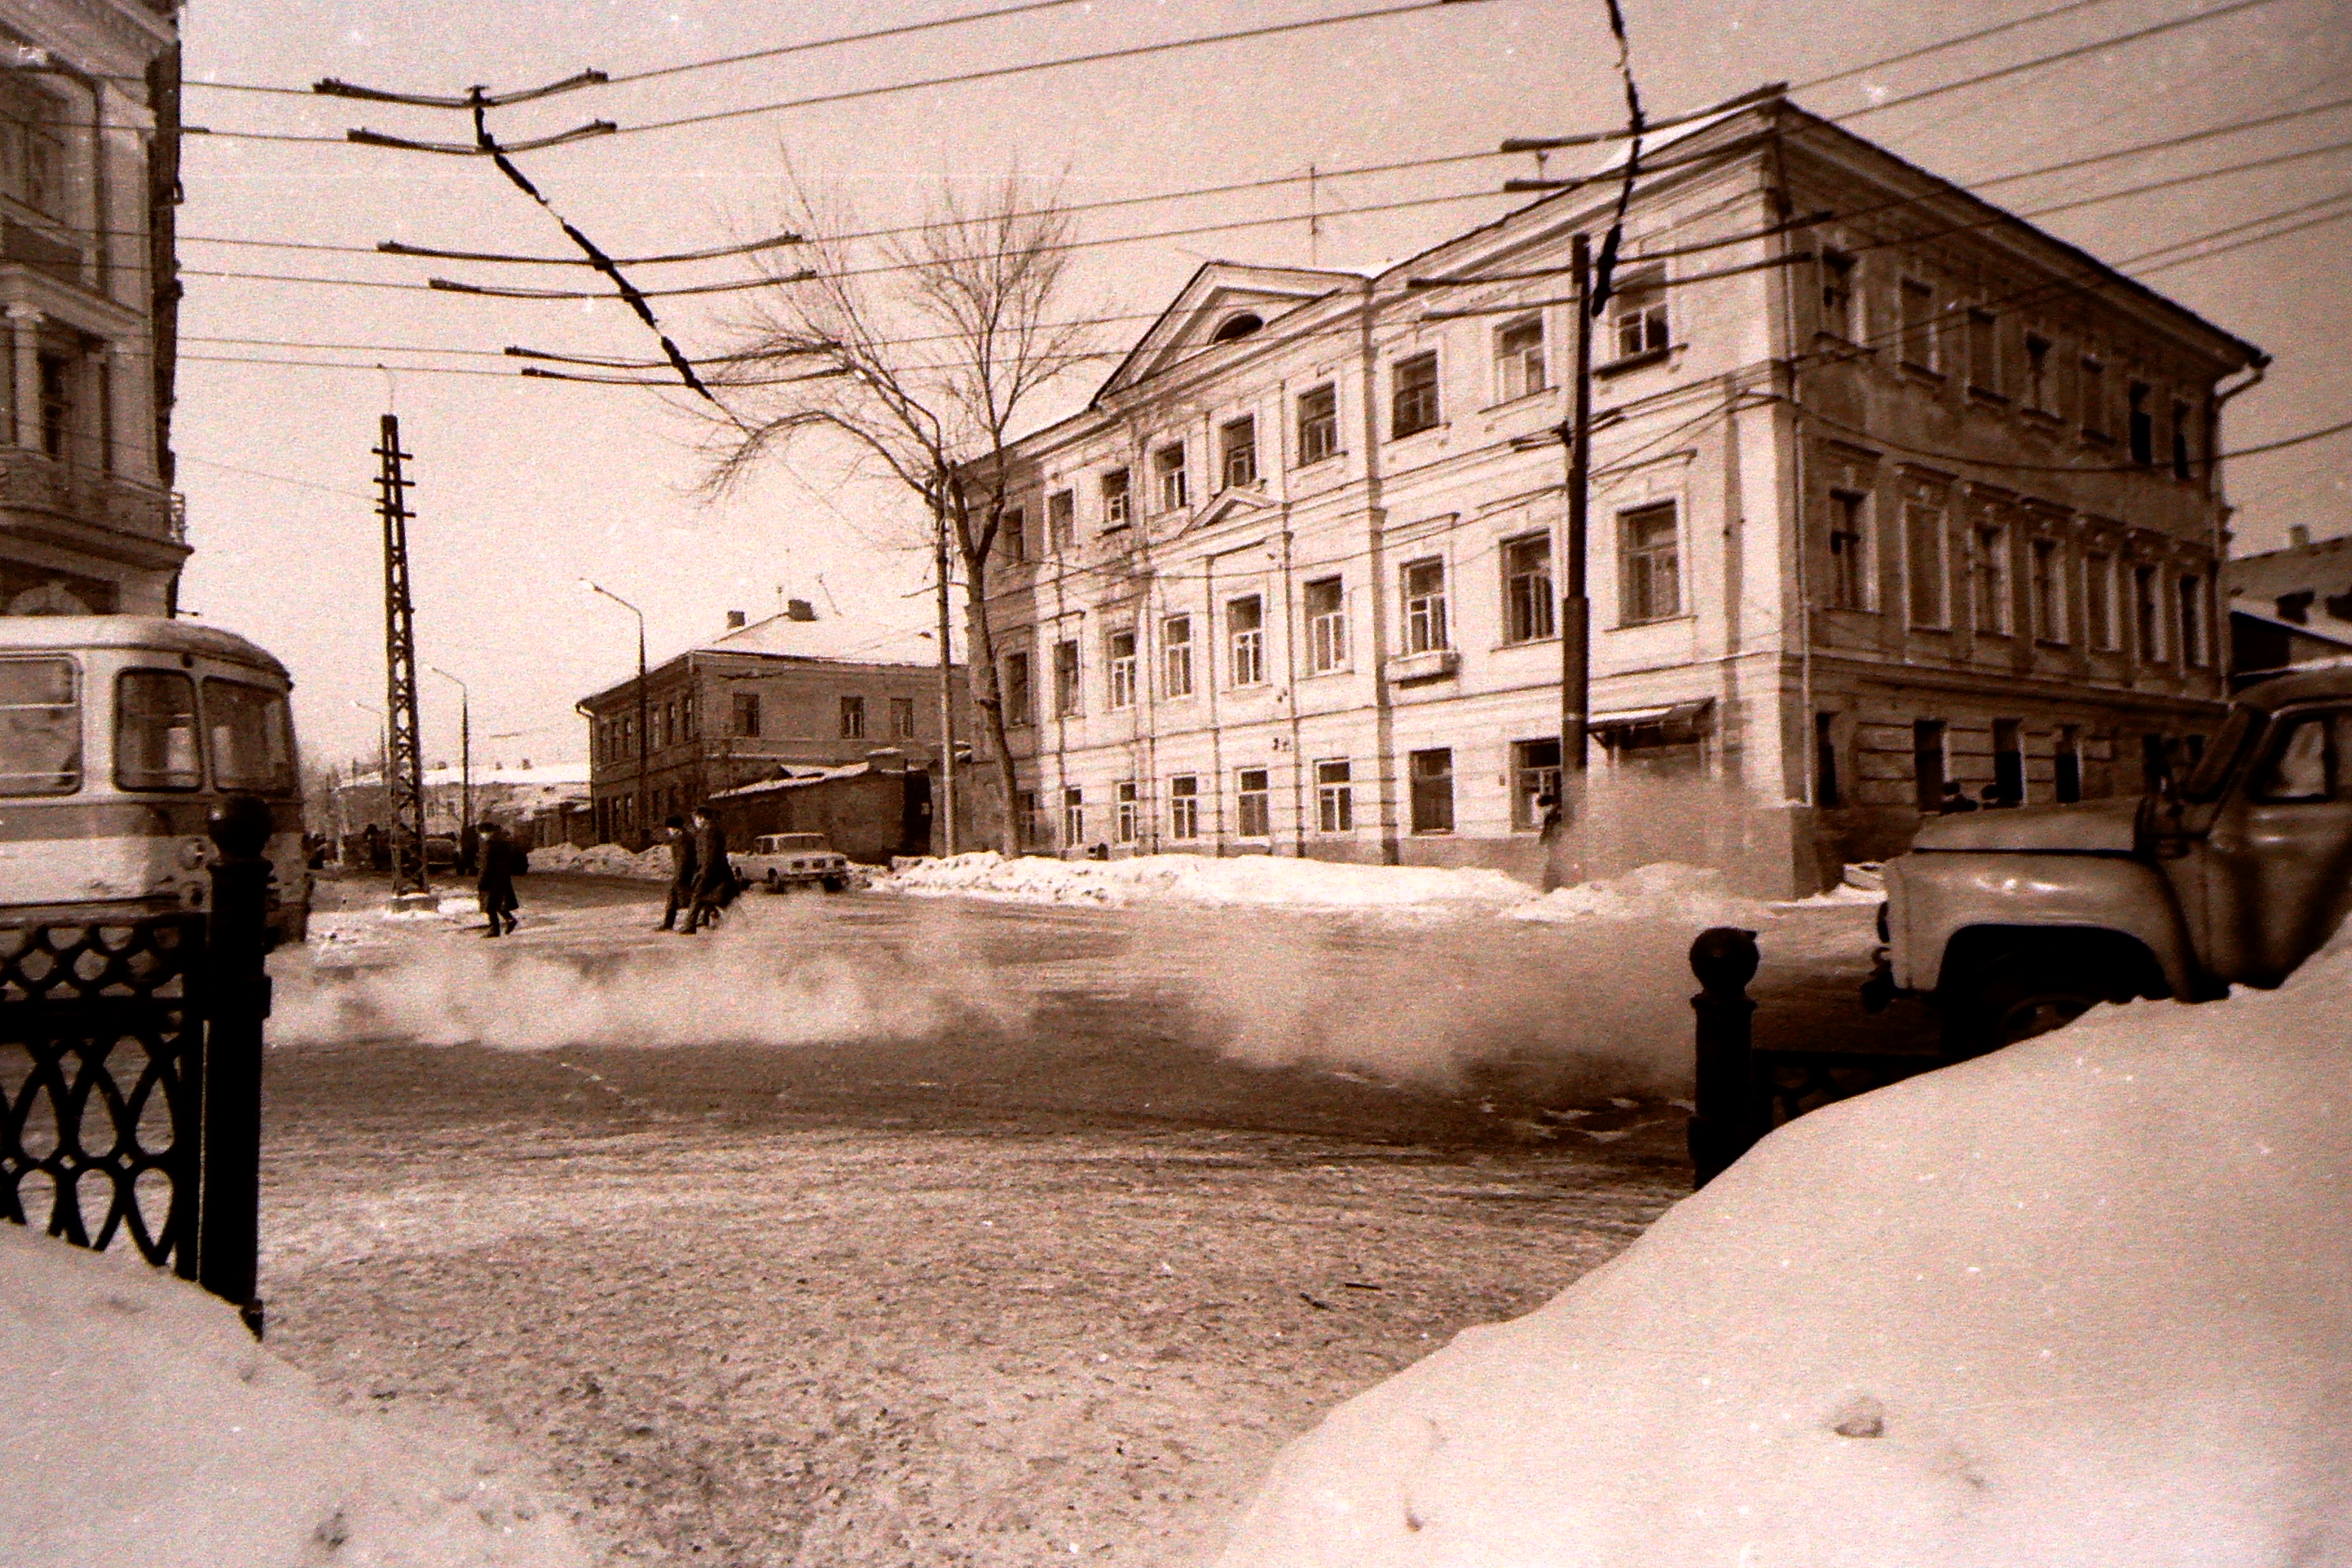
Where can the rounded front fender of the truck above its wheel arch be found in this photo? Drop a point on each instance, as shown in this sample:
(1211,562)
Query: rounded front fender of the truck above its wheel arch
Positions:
(2064,892)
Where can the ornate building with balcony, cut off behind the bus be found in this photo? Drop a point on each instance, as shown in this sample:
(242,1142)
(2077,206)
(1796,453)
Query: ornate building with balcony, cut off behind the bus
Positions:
(88,295)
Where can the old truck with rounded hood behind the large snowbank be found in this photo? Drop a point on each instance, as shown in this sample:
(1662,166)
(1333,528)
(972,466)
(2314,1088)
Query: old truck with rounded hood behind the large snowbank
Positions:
(2017,923)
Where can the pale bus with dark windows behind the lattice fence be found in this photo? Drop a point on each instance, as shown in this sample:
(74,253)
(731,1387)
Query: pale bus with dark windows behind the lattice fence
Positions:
(119,735)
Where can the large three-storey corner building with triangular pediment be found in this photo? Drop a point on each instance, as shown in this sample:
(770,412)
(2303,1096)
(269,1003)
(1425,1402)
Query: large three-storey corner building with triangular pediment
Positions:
(1890,490)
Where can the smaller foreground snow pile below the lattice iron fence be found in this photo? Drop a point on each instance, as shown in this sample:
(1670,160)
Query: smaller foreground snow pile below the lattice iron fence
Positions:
(149,1428)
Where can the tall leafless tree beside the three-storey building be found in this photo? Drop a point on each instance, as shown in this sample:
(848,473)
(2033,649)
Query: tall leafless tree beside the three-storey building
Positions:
(926,349)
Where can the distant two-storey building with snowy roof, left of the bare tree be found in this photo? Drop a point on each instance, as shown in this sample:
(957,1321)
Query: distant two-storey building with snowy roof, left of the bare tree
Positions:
(789,692)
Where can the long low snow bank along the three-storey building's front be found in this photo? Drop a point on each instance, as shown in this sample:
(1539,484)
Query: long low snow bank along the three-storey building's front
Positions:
(1198,880)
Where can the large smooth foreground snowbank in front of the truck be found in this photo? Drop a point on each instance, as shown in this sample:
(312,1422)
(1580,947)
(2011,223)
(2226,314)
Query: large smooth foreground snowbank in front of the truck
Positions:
(2085,1301)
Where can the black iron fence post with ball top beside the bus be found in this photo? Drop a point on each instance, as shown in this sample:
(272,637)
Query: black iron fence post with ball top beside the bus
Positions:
(236,1003)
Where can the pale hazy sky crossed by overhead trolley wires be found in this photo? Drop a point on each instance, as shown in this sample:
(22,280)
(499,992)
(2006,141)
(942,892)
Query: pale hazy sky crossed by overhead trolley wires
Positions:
(526,488)
